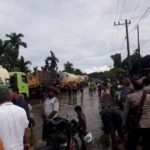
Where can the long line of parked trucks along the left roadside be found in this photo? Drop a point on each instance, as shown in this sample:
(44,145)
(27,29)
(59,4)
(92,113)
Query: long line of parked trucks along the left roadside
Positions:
(32,84)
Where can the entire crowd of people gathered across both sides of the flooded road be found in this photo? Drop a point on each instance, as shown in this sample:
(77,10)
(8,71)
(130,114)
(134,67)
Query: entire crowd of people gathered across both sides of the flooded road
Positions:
(125,114)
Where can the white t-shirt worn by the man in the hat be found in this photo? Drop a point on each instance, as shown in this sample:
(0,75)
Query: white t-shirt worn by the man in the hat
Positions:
(51,105)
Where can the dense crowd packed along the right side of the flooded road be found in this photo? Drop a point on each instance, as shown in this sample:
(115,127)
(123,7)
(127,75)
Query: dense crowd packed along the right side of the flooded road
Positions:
(125,112)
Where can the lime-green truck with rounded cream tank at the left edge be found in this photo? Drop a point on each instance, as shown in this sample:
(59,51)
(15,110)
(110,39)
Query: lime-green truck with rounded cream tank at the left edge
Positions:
(14,79)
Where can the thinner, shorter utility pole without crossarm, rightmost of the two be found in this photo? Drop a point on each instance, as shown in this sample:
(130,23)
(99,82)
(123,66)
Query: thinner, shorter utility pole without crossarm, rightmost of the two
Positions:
(139,53)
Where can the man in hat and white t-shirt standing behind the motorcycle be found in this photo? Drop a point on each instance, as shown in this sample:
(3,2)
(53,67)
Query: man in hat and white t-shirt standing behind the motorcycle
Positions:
(50,110)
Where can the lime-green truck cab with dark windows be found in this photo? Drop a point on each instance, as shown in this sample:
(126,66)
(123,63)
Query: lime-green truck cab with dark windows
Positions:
(19,79)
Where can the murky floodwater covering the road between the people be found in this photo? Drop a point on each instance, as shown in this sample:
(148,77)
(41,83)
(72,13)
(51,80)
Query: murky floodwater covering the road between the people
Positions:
(91,107)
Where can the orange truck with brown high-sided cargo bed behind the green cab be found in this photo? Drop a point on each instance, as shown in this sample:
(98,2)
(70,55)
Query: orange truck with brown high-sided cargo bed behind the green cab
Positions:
(40,79)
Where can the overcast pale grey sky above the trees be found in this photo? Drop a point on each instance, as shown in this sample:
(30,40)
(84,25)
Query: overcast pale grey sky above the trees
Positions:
(79,31)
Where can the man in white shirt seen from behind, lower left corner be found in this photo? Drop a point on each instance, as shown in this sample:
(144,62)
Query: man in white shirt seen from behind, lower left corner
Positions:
(13,124)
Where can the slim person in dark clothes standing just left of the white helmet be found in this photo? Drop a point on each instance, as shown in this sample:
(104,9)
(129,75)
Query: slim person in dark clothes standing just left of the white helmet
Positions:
(83,125)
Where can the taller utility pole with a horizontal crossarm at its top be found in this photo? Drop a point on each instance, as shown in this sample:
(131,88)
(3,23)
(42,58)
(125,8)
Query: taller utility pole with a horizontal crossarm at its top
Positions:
(127,37)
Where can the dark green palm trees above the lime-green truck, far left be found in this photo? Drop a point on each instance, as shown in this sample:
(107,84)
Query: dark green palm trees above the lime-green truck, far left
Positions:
(9,53)
